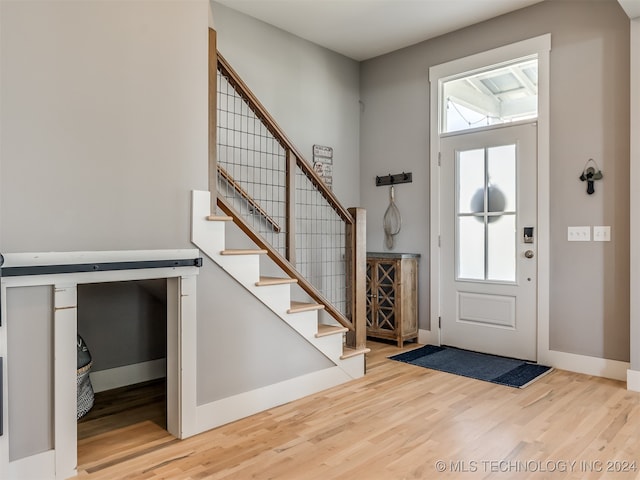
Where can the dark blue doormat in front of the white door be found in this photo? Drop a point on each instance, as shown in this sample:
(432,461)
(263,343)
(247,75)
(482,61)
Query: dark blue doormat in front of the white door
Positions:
(490,368)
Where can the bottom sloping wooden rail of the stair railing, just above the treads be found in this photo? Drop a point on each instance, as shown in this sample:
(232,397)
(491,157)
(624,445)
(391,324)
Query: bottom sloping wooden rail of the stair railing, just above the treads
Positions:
(284,264)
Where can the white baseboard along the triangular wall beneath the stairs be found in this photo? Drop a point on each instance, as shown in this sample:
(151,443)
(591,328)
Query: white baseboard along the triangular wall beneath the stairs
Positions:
(239,406)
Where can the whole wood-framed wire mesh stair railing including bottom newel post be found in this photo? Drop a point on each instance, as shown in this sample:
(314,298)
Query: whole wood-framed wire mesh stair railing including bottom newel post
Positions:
(280,202)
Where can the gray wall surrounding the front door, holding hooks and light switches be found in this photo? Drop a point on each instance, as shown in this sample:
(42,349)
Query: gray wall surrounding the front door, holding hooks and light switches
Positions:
(589,298)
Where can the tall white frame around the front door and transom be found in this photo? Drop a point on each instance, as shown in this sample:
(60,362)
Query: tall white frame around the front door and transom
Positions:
(538,45)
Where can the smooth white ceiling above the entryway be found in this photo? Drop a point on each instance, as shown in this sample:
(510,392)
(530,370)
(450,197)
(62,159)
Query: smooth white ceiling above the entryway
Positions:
(362,29)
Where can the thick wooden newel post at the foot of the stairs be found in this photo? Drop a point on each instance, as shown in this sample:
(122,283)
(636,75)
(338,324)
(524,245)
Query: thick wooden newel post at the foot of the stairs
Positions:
(356,264)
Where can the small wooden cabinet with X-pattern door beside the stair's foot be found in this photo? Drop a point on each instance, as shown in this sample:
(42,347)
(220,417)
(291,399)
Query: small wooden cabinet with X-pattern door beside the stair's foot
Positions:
(392,296)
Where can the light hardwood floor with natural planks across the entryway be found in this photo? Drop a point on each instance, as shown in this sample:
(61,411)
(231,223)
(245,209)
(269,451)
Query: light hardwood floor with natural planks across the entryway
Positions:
(398,422)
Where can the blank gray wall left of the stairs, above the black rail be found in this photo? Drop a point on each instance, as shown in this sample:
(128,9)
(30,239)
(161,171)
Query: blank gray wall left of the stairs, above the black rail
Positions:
(104,123)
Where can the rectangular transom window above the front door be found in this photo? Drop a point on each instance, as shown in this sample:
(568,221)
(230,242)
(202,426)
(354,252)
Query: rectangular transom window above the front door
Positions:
(499,94)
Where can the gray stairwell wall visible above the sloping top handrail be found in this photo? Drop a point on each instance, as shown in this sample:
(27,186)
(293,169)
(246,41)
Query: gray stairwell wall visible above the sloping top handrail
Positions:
(311,92)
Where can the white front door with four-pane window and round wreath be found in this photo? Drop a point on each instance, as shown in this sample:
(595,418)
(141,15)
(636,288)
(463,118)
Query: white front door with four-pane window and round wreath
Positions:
(488,240)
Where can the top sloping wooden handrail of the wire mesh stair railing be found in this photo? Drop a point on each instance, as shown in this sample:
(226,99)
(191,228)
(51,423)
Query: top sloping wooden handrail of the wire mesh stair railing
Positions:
(262,113)
